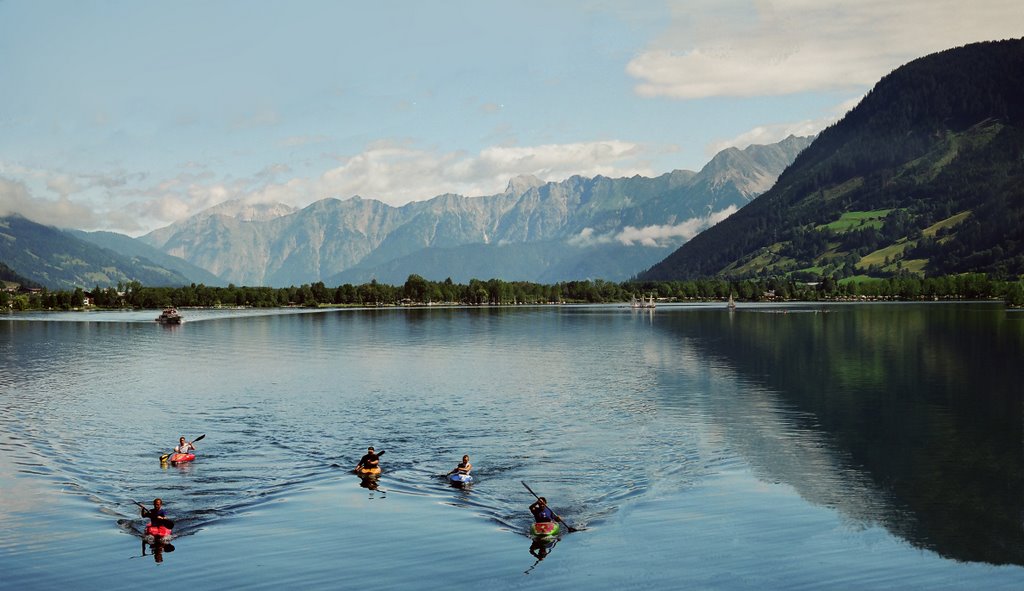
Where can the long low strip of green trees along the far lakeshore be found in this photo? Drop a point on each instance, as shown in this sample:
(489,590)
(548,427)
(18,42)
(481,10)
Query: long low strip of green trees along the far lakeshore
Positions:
(418,291)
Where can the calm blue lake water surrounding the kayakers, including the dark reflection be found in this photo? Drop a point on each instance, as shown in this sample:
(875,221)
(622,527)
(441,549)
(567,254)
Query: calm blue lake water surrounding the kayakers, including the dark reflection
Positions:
(862,446)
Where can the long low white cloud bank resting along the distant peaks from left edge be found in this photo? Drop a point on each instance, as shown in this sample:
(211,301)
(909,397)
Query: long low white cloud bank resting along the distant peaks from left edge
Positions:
(395,173)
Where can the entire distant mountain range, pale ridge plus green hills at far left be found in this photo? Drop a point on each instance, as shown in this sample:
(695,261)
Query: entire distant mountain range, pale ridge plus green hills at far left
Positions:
(535,231)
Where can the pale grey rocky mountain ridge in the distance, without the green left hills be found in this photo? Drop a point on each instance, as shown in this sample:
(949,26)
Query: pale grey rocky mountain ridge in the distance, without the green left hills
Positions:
(331,237)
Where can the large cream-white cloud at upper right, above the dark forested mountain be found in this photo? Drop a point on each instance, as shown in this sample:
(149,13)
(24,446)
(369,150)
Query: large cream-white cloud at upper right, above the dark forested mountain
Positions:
(756,49)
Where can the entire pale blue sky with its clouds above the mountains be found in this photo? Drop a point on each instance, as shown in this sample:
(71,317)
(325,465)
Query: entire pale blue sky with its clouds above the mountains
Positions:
(129,116)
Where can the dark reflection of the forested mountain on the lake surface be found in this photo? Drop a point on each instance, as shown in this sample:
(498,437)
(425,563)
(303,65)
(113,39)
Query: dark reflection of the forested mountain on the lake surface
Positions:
(906,415)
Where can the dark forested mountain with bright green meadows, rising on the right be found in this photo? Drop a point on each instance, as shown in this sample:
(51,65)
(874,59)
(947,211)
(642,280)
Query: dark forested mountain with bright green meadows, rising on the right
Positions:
(925,177)
